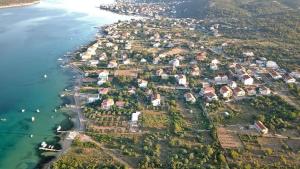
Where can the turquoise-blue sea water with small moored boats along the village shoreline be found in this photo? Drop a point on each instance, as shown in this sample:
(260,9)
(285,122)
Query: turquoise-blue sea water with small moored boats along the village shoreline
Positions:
(31,40)
